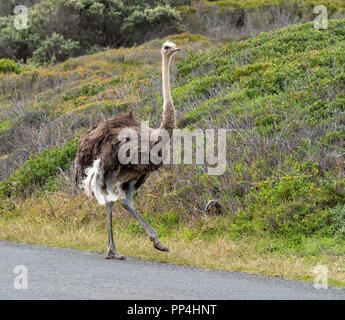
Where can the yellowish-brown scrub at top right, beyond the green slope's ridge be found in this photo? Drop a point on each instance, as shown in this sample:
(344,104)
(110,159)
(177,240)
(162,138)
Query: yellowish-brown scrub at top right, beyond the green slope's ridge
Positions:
(238,19)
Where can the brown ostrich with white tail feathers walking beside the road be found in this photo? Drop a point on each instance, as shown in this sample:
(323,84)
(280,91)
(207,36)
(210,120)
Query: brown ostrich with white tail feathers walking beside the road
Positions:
(98,171)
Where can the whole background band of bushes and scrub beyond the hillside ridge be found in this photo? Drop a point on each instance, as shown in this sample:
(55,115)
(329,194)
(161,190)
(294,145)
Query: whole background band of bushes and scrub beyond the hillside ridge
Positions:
(61,29)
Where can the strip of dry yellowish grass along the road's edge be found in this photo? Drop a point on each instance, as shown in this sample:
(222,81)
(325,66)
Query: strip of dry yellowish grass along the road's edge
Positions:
(35,221)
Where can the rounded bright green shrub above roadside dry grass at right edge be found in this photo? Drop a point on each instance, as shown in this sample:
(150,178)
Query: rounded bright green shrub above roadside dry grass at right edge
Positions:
(295,203)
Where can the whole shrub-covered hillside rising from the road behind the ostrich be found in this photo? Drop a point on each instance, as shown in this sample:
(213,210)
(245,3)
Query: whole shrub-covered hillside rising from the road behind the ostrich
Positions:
(282,94)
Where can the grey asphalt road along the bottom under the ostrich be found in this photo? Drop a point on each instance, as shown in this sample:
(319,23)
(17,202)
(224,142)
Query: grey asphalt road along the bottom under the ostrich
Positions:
(56,273)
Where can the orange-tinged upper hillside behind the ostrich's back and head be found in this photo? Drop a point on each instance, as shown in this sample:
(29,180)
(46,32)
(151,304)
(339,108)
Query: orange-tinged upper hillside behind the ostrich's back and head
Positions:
(65,99)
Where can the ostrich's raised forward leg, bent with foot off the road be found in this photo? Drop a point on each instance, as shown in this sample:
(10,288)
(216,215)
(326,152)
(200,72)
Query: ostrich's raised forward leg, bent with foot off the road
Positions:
(128,205)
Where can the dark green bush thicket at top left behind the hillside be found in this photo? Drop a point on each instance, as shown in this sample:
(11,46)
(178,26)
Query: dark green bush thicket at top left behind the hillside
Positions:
(59,29)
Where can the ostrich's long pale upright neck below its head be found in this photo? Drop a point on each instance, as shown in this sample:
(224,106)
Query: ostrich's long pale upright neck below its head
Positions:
(168,120)
